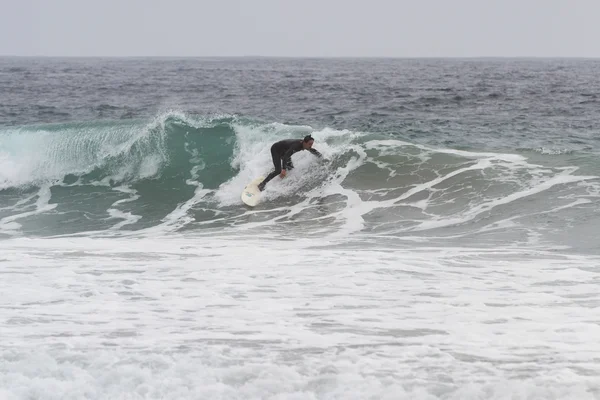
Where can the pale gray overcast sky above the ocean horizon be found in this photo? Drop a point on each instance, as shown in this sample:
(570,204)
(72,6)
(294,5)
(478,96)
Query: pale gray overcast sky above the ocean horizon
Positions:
(330,28)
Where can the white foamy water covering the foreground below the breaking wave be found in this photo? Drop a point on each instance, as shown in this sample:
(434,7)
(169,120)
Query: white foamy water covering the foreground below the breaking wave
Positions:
(194,318)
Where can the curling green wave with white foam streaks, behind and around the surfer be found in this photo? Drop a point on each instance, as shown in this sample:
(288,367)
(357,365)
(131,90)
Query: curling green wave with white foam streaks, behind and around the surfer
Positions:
(185,173)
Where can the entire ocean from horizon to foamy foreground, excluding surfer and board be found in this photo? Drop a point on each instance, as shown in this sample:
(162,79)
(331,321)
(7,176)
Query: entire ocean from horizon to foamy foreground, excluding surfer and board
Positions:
(446,248)
